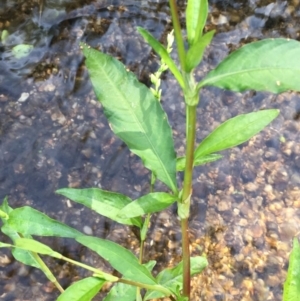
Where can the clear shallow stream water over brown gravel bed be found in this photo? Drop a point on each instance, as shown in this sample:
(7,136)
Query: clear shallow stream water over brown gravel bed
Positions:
(53,134)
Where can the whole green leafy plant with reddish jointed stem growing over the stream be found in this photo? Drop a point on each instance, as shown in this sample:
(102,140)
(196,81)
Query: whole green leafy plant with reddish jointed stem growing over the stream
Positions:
(136,116)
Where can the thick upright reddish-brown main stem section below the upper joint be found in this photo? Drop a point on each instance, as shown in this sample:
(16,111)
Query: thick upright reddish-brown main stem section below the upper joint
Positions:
(186,196)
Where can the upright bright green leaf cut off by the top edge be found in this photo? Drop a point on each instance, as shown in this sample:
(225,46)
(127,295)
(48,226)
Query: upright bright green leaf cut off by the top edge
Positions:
(196,15)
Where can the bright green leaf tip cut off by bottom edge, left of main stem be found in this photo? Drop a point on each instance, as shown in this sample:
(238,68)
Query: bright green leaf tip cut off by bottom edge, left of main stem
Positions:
(82,290)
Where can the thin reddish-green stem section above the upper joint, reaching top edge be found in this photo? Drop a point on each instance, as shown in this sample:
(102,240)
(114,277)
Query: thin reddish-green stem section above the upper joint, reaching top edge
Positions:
(177,31)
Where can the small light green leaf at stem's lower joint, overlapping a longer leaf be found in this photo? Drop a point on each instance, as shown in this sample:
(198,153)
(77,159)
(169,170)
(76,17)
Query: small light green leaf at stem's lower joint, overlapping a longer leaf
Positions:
(150,203)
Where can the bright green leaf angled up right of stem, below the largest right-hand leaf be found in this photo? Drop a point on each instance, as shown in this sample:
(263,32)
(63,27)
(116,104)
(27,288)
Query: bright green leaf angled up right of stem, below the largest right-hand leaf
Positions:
(235,131)
